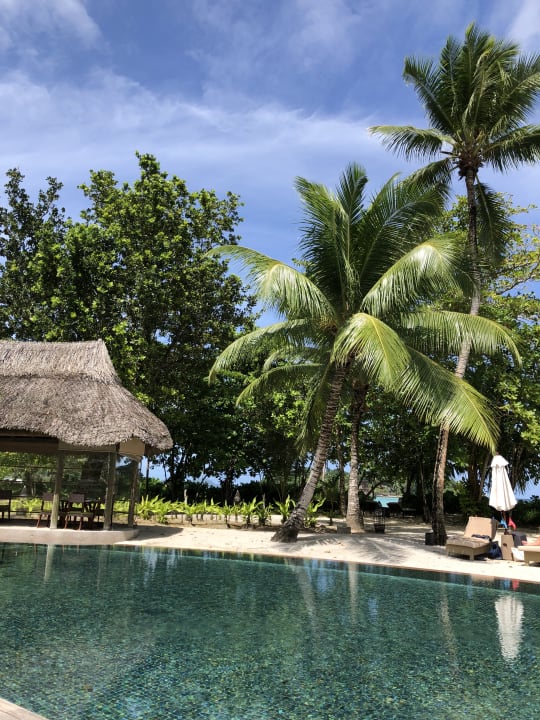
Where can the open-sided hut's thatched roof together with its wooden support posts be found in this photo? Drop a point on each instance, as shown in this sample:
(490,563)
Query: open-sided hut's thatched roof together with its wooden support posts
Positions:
(66,398)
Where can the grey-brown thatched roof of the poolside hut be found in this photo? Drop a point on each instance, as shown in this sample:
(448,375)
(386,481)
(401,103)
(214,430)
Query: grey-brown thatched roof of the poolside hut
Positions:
(71,392)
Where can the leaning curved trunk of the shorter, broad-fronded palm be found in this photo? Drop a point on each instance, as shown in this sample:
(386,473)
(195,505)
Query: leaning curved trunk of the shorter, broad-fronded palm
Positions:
(288,532)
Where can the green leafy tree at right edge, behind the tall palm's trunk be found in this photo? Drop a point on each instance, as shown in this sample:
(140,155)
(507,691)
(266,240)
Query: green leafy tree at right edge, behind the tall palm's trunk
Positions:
(508,299)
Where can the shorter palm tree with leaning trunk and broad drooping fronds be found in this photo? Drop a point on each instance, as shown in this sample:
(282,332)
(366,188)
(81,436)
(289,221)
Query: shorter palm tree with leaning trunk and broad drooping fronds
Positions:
(357,310)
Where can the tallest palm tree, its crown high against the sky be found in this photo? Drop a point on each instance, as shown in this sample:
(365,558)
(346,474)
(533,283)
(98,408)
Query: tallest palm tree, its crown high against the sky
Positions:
(476,99)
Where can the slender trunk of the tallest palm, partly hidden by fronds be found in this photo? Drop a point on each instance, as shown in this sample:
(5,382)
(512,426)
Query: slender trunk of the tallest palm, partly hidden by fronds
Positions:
(437,522)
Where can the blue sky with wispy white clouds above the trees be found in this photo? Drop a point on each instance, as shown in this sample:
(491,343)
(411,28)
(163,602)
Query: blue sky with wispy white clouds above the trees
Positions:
(239,95)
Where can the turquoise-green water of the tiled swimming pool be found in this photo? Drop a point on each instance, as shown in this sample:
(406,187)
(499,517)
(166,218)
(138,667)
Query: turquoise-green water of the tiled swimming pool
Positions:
(121,634)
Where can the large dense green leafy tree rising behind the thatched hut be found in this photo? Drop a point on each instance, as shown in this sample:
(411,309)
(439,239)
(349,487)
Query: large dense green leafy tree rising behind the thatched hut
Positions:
(135,272)
